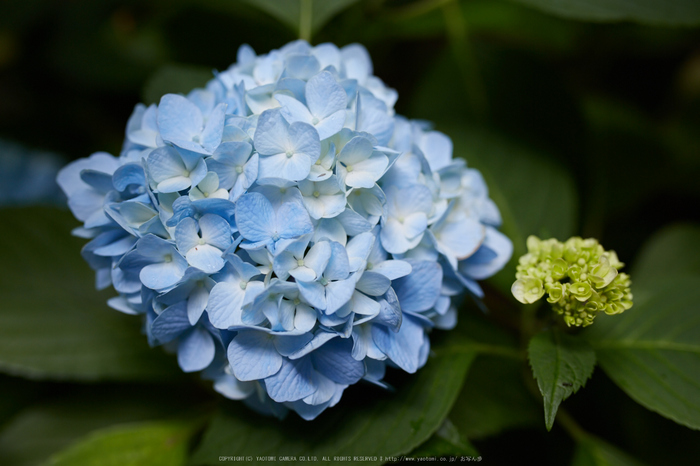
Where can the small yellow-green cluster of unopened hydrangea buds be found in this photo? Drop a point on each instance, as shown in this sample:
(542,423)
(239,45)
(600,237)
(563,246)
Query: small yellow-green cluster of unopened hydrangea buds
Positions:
(580,278)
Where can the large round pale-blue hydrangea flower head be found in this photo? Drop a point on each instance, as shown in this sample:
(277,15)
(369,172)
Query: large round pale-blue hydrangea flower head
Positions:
(284,231)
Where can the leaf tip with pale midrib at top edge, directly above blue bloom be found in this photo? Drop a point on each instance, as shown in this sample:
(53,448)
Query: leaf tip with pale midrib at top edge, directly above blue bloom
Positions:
(296,12)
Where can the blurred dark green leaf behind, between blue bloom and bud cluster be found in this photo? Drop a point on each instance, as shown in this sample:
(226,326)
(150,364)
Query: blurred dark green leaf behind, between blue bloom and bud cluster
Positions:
(535,195)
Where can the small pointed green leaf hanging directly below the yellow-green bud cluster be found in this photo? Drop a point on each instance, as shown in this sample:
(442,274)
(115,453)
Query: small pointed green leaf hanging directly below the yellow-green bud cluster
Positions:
(561,364)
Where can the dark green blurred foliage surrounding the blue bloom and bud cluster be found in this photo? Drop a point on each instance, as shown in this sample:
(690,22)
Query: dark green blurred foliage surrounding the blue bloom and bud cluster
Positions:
(583,116)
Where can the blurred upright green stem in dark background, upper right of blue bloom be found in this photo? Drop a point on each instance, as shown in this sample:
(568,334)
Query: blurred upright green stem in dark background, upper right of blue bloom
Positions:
(457,34)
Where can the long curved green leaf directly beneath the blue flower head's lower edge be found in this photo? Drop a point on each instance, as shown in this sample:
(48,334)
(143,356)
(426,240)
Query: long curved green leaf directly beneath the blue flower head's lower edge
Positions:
(367,422)
